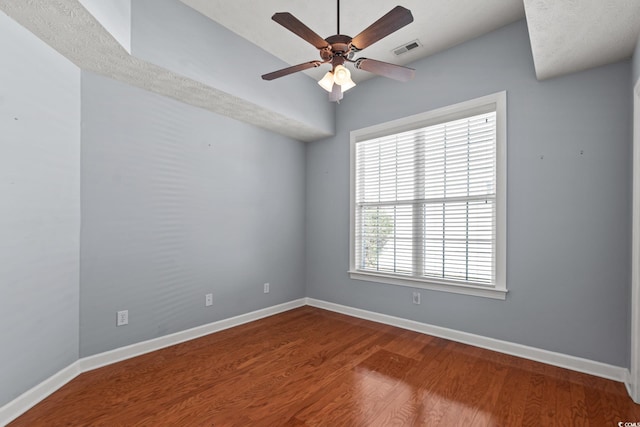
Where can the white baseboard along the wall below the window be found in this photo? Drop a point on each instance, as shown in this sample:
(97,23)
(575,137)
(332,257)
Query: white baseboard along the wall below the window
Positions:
(573,363)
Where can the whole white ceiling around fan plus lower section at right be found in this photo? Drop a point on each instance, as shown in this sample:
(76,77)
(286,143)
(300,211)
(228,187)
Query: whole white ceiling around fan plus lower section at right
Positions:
(566,36)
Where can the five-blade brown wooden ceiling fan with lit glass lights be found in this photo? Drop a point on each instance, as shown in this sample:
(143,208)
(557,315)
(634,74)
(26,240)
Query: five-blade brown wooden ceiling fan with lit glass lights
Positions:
(340,48)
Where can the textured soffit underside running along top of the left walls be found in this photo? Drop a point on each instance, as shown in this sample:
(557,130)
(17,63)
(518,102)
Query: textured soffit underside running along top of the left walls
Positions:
(67,27)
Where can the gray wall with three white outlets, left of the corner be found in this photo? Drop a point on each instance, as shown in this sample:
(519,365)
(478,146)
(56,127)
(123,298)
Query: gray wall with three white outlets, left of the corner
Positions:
(178,202)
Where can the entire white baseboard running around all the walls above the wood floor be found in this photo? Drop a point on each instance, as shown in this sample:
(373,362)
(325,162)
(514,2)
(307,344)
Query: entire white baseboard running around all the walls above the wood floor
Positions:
(31,397)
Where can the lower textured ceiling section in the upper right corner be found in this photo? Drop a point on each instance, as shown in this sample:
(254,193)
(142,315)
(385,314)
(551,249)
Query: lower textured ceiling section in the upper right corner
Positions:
(571,35)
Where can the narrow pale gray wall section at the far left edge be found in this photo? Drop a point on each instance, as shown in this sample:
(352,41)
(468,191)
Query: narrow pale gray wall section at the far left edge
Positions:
(39,212)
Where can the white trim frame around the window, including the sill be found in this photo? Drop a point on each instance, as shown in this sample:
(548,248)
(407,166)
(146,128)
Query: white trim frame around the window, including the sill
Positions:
(452,112)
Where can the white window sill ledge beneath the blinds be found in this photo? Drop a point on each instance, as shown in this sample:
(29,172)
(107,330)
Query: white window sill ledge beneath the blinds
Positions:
(477,291)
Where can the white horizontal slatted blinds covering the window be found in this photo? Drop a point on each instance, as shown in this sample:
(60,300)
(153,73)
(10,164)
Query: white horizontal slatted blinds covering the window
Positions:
(425,202)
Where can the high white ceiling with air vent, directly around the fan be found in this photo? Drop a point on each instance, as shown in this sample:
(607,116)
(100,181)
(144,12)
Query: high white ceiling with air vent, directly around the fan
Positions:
(437,24)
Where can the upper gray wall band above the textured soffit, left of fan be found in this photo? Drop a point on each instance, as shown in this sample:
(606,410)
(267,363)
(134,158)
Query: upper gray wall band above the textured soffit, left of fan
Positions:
(176,37)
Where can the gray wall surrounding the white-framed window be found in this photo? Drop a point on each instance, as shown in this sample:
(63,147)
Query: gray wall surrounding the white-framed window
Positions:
(568,267)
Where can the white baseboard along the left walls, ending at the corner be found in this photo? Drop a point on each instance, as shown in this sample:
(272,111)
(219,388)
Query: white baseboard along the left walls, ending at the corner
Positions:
(33,396)
